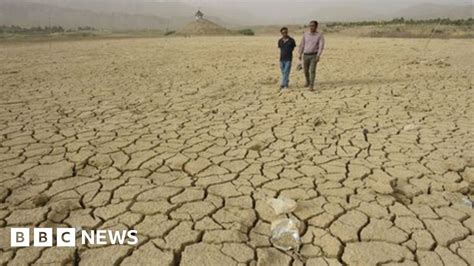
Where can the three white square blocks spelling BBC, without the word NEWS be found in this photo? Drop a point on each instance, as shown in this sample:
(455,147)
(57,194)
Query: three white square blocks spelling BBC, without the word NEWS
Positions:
(43,237)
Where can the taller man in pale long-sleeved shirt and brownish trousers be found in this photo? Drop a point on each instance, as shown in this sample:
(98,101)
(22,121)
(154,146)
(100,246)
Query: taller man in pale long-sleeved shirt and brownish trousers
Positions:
(311,49)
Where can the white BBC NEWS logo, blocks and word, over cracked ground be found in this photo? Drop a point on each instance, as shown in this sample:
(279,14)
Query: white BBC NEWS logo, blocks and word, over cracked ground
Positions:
(66,237)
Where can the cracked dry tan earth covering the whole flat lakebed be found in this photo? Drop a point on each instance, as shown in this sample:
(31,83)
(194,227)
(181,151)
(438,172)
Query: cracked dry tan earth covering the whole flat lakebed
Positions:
(184,140)
